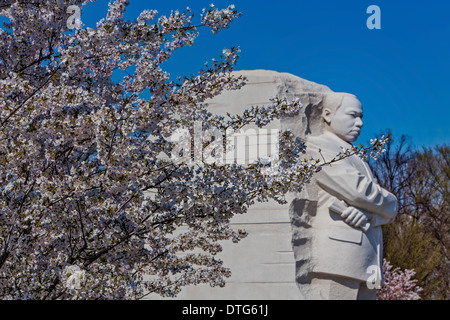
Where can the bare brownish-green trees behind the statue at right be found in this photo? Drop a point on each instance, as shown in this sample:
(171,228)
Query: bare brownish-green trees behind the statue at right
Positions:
(419,238)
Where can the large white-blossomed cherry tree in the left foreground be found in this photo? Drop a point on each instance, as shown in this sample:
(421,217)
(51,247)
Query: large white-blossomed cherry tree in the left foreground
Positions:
(91,204)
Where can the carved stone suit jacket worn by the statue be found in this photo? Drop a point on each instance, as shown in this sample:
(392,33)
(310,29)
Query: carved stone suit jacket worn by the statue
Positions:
(337,248)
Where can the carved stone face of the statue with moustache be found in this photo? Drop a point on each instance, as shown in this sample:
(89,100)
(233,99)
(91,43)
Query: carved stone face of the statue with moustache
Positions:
(346,121)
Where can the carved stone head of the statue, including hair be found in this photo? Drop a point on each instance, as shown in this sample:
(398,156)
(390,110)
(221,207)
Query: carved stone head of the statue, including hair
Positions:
(342,115)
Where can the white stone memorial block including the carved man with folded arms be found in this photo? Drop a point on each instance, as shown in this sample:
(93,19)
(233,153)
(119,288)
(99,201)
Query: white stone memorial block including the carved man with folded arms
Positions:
(321,244)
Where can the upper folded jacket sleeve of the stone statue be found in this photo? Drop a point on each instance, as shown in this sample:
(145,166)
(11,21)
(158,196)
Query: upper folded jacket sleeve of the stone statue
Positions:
(345,182)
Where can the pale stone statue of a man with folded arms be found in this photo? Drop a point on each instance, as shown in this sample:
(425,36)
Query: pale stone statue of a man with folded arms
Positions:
(337,238)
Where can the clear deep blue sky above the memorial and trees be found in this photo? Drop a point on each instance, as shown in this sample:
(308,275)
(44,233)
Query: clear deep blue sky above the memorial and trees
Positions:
(400,72)
